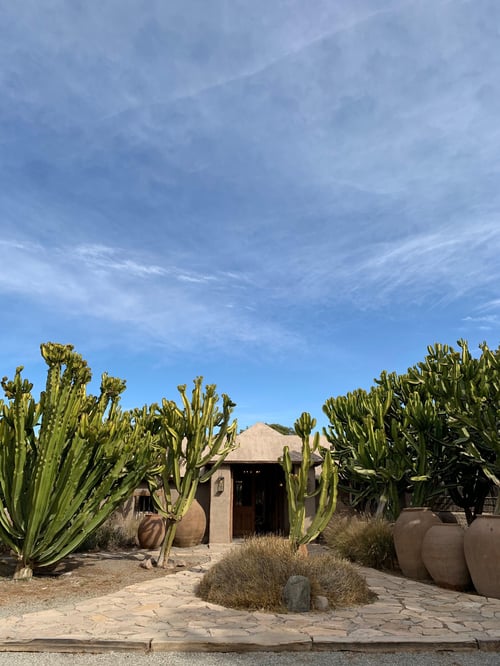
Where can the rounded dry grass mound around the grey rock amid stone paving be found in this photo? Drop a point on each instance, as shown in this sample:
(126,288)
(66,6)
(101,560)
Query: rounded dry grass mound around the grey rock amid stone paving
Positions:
(253,576)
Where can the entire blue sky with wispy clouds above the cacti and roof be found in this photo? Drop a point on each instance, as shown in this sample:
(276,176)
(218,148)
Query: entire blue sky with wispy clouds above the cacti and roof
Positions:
(285,197)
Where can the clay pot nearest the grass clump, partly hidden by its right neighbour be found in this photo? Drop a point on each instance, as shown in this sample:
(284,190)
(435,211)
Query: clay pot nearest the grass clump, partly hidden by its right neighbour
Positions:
(409,532)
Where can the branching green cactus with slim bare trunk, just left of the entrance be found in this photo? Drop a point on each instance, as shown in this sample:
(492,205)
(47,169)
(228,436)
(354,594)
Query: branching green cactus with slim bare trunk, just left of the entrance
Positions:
(191,443)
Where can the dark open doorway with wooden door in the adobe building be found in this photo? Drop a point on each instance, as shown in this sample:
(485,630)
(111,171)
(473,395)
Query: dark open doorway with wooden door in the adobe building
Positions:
(258,500)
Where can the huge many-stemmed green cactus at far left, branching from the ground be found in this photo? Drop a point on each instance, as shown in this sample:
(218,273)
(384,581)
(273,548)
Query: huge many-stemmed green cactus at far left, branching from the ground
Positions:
(66,461)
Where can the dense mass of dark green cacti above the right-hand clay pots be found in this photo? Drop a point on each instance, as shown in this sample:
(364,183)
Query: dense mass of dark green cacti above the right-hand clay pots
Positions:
(432,430)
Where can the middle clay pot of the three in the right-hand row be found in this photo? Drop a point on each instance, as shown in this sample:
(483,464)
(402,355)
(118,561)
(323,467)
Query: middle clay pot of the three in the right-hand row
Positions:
(443,556)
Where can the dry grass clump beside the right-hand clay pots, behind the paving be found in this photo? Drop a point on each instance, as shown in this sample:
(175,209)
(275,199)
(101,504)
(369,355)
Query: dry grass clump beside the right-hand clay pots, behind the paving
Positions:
(366,540)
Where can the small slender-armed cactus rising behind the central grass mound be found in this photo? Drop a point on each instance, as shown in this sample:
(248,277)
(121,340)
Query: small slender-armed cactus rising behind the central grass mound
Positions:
(297,485)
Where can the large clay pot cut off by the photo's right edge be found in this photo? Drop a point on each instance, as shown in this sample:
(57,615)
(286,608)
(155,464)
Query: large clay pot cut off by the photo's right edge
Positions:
(482,553)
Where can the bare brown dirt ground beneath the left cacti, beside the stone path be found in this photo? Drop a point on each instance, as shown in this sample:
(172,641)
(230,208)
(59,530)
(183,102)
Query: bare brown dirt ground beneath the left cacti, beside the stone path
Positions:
(81,576)
